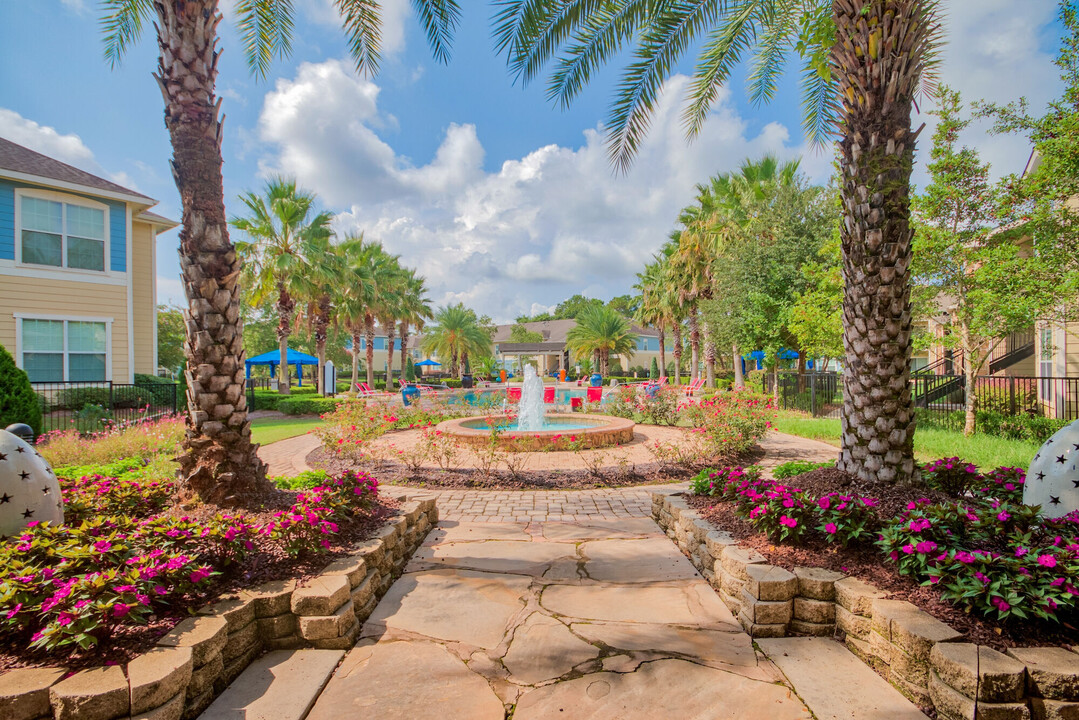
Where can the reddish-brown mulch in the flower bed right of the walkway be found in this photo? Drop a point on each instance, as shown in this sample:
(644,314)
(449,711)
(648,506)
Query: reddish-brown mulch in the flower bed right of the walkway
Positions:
(867,563)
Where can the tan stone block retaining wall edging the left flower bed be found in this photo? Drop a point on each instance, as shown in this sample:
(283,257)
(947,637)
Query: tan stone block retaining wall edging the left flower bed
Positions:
(198,660)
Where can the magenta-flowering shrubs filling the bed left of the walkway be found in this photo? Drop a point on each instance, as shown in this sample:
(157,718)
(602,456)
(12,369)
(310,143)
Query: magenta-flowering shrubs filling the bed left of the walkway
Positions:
(118,563)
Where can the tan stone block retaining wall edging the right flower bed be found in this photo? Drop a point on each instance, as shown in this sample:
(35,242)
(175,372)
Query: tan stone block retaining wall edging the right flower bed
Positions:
(923,658)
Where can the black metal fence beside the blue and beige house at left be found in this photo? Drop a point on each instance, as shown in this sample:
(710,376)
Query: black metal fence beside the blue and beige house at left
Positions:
(93,406)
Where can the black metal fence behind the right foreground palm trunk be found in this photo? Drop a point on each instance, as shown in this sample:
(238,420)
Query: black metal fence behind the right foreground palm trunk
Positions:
(939,398)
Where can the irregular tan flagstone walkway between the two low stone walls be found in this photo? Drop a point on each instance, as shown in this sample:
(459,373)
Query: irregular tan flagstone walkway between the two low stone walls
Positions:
(599,619)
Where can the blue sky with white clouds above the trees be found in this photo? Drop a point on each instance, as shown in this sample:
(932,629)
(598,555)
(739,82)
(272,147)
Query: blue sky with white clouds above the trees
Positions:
(503,201)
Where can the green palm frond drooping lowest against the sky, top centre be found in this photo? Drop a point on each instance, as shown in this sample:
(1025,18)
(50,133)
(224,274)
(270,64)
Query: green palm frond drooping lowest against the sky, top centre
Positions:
(663,44)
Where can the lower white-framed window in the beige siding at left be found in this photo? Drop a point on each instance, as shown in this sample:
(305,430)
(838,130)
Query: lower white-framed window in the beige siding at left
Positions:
(59,350)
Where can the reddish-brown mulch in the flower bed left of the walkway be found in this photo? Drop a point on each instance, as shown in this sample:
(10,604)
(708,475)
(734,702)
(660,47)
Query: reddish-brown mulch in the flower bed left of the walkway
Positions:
(129,642)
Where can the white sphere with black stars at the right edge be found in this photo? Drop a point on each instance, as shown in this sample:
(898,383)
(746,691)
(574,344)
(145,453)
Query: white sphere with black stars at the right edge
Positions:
(1053,481)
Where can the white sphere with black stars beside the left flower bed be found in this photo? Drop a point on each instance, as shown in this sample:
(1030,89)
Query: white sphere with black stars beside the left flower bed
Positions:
(29,488)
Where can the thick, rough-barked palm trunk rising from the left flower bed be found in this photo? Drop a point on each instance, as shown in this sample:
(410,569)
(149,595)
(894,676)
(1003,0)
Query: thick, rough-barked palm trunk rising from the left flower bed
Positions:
(218,461)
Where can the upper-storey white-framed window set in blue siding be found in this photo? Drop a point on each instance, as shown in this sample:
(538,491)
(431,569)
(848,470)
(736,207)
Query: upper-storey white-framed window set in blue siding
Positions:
(62,235)
